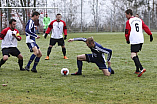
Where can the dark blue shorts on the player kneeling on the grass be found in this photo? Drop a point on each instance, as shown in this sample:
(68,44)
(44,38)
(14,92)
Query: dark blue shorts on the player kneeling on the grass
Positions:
(100,64)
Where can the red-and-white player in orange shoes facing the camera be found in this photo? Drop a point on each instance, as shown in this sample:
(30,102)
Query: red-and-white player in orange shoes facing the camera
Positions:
(57,26)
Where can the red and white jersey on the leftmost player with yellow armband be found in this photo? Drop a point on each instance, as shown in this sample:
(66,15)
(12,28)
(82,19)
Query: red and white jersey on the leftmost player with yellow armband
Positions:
(7,39)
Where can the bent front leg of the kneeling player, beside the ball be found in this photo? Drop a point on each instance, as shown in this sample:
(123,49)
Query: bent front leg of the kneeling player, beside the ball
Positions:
(80,58)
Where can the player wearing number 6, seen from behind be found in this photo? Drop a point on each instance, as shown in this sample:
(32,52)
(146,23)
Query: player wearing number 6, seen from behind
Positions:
(134,36)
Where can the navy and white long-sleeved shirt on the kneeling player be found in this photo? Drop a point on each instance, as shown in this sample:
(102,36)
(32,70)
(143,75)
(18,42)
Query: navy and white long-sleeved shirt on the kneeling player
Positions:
(98,51)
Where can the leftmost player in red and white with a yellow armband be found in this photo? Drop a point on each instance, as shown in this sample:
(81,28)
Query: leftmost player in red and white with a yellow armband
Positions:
(9,37)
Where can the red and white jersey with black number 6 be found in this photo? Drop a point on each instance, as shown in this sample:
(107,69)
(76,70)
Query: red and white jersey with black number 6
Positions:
(133,30)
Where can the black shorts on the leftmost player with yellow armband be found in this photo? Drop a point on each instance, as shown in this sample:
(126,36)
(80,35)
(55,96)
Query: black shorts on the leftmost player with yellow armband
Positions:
(12,50)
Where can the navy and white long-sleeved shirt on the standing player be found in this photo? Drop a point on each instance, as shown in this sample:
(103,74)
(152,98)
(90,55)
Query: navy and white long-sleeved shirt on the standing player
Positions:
(30,32)
